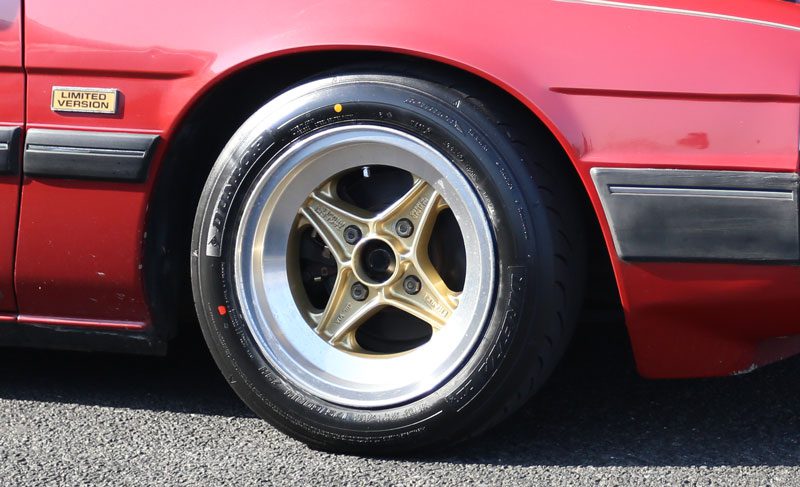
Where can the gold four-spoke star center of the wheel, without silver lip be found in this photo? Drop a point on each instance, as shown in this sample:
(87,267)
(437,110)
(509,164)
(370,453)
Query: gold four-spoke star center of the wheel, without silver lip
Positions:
(382,260)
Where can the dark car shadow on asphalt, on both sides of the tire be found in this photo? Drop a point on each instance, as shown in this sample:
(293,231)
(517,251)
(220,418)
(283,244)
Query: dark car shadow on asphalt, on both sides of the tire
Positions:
(595,411)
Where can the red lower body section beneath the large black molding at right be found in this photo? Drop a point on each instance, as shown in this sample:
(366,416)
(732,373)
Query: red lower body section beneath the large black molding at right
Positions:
(708,319)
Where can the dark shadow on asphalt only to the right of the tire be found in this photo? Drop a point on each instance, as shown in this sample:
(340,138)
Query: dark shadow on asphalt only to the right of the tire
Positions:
(596,411)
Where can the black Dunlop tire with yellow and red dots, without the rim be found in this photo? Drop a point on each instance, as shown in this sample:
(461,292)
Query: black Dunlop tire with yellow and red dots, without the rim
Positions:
(516,217)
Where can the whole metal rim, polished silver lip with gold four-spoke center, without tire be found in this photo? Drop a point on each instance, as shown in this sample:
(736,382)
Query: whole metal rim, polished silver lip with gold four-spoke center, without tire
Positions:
(364,265)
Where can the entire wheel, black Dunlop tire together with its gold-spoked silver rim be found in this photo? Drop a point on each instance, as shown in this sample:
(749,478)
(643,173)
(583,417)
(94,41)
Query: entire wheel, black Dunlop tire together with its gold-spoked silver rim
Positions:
(385,263)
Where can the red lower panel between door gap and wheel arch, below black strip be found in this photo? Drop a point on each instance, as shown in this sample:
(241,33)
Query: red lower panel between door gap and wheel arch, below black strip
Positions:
(71,273)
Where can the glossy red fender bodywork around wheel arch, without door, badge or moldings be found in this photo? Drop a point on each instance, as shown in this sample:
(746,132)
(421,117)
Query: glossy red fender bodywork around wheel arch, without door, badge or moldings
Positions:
(712,89)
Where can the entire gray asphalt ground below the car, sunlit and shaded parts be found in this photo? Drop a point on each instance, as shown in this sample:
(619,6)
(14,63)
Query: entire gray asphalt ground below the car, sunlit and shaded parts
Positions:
(93,419)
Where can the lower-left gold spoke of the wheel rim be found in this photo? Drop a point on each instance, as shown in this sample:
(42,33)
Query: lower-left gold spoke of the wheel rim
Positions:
(344,313)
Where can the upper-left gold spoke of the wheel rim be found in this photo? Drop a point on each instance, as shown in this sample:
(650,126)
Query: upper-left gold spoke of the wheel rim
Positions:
(331,217)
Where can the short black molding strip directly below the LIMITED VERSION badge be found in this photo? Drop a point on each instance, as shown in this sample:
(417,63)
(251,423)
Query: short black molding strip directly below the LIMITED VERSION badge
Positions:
(88,155)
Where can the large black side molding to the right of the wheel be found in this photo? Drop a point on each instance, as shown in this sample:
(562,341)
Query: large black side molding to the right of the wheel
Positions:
(676,215)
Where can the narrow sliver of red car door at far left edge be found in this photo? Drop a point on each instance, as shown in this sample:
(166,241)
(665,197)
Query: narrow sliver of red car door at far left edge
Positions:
(12,119)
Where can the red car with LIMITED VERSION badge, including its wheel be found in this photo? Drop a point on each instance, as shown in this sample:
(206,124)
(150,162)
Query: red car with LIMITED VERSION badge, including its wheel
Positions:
(388,215)
